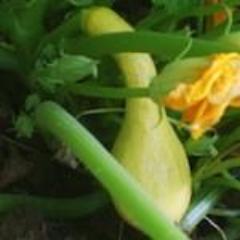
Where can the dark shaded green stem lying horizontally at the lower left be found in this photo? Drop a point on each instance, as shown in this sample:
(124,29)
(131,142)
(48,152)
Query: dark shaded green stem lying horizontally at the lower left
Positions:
(54,207)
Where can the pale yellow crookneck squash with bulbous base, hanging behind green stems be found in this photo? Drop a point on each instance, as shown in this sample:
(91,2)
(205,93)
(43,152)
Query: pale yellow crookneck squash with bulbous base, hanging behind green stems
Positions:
(146,144)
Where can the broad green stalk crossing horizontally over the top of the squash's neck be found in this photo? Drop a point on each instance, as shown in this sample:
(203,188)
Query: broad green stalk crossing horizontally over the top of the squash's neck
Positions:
(165,46)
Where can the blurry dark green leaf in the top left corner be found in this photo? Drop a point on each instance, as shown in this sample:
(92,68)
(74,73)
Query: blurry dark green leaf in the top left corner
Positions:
(22,20)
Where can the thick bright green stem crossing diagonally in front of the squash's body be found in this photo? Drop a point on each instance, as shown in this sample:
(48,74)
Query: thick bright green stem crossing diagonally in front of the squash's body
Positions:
(108,171)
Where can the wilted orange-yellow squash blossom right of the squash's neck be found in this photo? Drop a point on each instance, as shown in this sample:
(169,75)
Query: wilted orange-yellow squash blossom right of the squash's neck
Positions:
(204,101)
